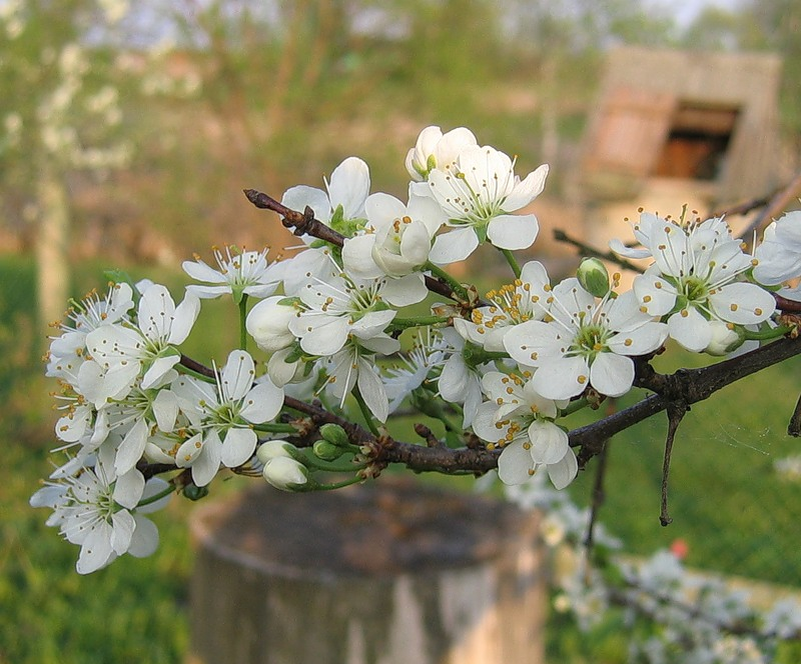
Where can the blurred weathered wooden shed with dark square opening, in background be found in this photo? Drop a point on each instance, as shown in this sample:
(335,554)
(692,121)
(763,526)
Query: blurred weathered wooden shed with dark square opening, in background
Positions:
(670,123)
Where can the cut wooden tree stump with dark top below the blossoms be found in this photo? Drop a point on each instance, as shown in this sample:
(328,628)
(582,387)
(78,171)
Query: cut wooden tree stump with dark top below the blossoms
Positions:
(384,573)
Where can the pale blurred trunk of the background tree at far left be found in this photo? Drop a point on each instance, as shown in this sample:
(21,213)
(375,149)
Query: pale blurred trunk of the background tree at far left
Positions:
(52,243)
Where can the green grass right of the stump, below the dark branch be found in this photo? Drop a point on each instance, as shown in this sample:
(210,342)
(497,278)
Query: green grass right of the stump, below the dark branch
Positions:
(735,514)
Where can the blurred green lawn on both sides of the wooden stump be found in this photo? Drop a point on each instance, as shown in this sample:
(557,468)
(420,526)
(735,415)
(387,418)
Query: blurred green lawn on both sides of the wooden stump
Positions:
(735,514)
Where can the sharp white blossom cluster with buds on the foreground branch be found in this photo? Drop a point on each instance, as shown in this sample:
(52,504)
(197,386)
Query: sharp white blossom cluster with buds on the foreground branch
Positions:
(348,320)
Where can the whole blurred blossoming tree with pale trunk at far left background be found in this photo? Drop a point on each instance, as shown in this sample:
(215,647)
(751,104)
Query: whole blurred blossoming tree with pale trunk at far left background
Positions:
(61,116)
